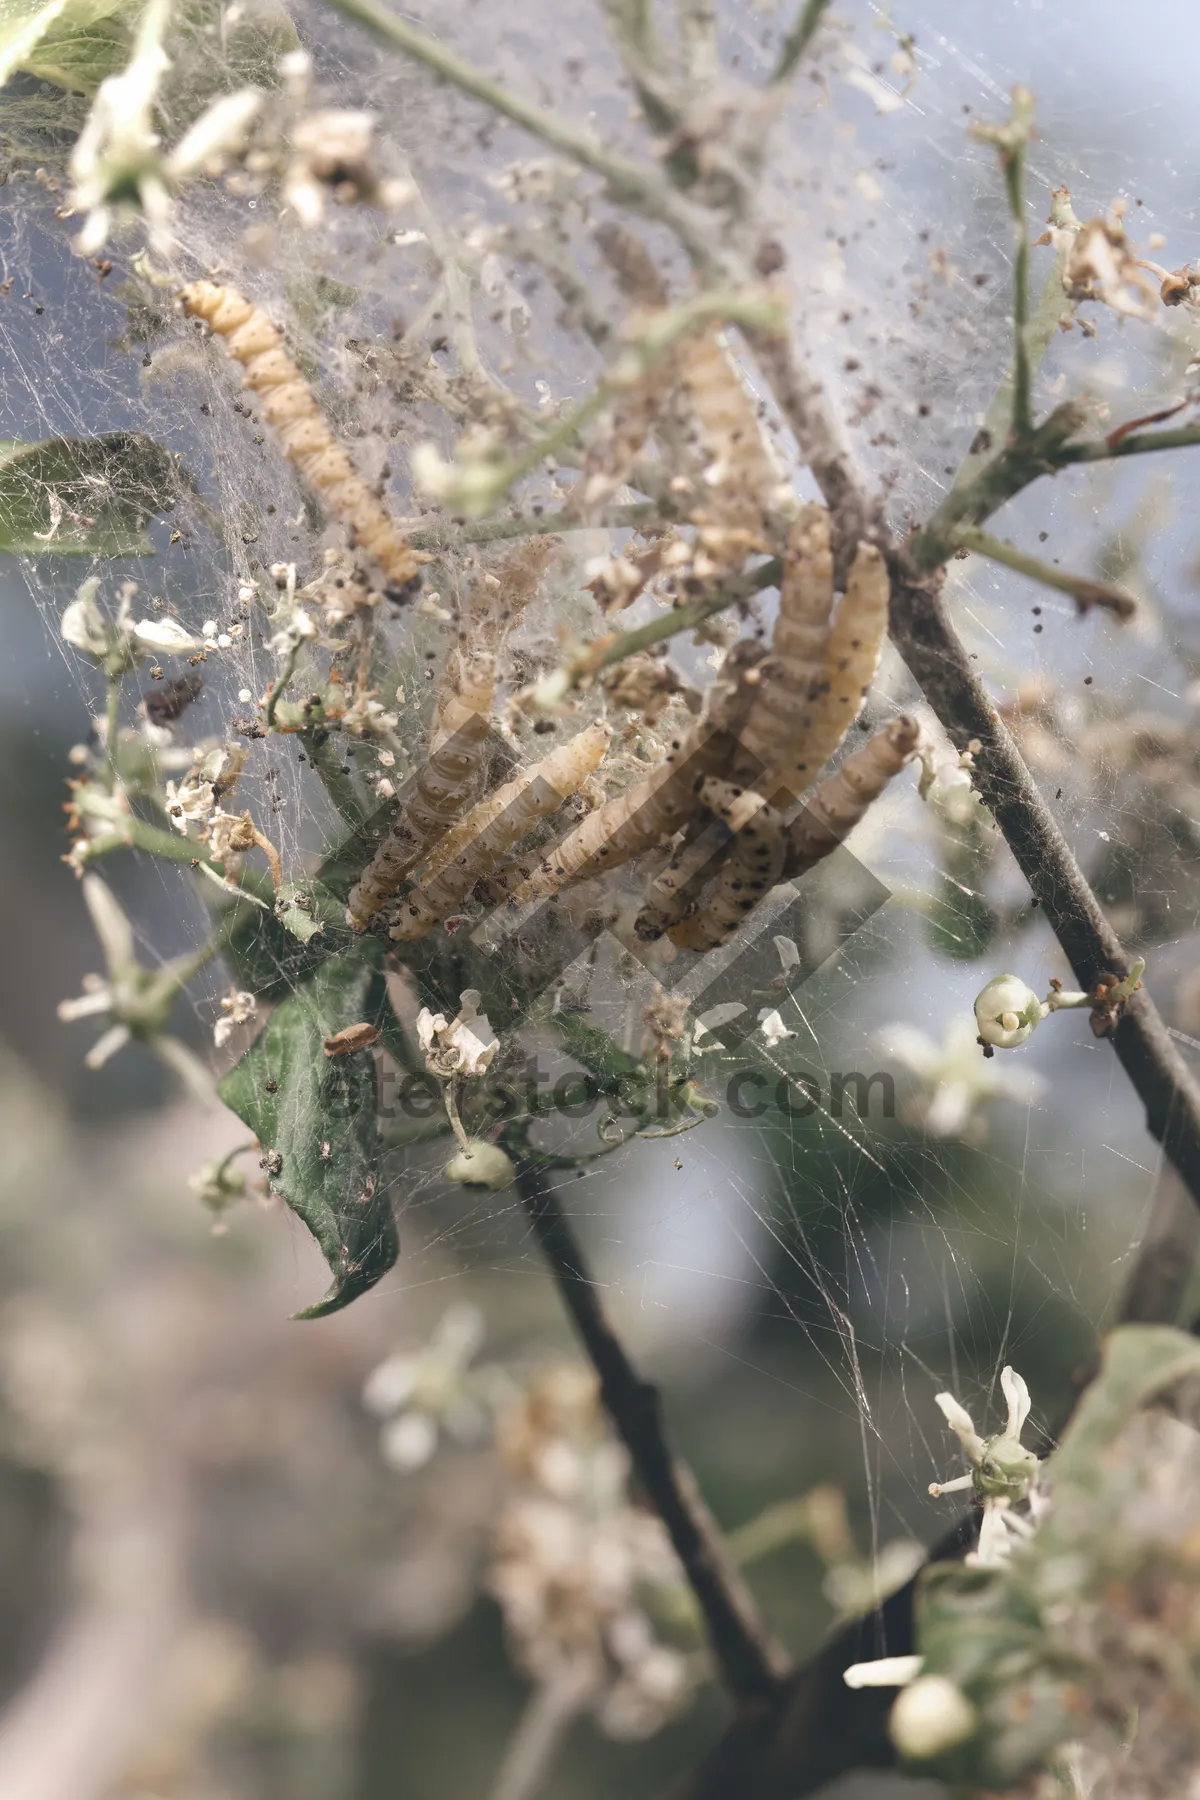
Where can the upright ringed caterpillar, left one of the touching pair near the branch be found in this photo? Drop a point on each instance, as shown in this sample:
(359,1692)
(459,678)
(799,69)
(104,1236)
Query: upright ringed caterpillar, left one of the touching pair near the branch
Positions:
(789,685)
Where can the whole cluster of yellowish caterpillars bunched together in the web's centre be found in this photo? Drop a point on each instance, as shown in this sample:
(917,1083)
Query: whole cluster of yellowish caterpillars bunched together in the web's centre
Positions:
(724,798)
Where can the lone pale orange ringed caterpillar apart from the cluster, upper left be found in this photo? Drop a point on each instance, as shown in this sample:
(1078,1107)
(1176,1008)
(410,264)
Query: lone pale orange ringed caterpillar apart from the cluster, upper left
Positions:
(289,406)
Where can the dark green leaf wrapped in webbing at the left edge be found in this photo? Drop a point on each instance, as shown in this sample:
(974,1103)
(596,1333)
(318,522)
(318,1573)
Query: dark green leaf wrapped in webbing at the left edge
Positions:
(84,496)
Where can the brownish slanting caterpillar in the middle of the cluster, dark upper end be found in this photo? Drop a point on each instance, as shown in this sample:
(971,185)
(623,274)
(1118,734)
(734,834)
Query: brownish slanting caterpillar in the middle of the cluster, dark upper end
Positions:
(650,811)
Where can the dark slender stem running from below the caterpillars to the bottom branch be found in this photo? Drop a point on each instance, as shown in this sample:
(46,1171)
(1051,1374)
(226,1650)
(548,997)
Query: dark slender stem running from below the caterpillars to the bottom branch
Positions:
(753,1666)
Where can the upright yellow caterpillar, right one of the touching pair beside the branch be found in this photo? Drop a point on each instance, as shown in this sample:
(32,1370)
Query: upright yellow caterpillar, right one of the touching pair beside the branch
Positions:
(852,665)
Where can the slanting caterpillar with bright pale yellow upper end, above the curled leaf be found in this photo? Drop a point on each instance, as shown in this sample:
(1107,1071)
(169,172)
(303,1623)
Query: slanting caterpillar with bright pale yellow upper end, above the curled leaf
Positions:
(490,831)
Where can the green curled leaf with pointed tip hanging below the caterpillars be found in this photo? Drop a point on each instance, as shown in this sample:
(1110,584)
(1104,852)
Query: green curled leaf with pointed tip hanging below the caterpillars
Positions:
(318,1122)
